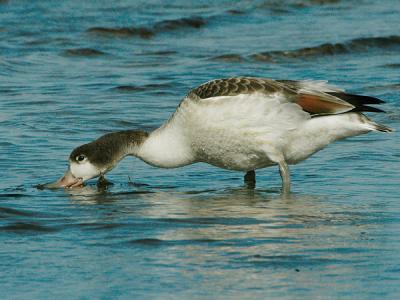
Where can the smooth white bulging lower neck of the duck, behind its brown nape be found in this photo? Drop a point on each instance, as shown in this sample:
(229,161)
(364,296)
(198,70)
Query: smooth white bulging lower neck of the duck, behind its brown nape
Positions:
(165,147)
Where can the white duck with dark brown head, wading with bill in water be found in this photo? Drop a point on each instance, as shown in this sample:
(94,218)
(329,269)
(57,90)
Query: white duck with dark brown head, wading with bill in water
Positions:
(241,123)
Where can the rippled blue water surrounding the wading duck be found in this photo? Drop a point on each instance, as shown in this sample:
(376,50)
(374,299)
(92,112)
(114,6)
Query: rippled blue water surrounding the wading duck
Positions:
(71,72)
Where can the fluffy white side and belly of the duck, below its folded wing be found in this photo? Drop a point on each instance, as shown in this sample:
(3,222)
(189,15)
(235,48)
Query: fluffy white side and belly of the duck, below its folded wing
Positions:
(240,133)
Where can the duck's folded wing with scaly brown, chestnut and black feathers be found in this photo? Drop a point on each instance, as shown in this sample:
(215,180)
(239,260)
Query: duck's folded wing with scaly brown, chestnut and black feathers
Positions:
(314,97)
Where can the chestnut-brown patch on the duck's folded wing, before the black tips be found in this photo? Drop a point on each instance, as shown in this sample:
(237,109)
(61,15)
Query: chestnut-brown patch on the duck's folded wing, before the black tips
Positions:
(316,104)
